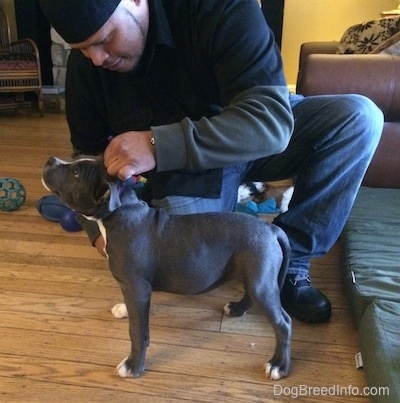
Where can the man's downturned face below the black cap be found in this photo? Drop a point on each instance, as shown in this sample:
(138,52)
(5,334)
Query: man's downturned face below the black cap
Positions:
(119,44)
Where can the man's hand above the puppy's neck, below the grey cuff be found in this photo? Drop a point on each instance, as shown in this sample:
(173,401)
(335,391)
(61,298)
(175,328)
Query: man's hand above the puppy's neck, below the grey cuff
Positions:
(130,153)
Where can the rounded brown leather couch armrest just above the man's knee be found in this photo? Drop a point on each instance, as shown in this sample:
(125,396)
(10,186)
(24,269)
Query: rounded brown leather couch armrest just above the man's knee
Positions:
(354,74)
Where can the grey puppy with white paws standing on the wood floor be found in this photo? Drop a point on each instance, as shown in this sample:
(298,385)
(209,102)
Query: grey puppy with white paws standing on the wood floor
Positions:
(149,249)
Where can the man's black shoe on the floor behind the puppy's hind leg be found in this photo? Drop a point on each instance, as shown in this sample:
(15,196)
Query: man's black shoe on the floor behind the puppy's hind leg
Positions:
(304,302)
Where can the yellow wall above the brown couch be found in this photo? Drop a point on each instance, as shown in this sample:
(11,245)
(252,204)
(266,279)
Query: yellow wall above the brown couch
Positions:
(322,20)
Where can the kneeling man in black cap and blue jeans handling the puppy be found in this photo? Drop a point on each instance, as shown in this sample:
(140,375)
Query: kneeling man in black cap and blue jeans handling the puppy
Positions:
(192,95)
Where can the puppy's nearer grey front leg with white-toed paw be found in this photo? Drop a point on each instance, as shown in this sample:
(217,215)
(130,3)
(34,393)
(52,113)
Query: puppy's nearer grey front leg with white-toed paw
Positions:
(137,298)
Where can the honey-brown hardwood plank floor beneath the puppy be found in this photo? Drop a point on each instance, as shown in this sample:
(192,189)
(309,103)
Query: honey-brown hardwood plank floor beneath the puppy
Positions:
(60,343)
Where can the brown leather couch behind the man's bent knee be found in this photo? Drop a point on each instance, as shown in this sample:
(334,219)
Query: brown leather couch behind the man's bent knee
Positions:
(377,76)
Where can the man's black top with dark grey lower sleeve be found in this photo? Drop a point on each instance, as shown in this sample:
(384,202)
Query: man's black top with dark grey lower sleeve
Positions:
(210,86)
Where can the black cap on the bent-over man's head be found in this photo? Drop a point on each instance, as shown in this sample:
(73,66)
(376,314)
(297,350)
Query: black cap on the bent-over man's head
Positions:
(77,20)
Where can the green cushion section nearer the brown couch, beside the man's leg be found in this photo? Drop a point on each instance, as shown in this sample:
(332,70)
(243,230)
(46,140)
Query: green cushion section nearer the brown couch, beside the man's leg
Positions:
(371,249)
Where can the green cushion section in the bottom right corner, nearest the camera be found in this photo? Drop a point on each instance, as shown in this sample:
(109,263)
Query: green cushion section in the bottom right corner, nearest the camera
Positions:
(380,348)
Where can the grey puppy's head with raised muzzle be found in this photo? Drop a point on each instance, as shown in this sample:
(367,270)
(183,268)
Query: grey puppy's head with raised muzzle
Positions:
(82,184)
